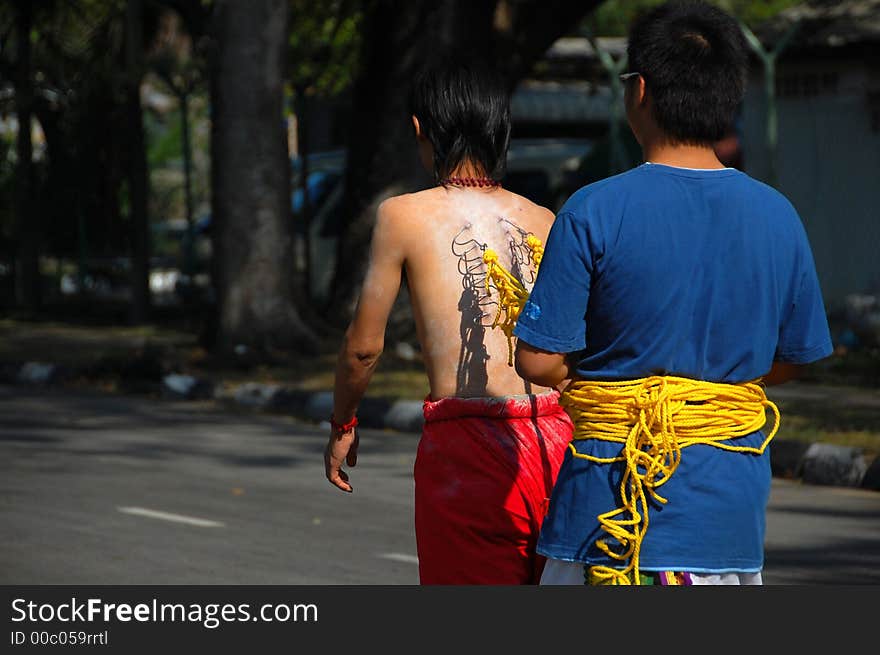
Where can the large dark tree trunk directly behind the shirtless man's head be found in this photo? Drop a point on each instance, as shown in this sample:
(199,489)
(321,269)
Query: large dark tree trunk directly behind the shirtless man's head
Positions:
(399,38)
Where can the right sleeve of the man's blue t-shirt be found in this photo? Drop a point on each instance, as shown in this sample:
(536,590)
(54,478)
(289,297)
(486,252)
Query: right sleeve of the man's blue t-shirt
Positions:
(804,336)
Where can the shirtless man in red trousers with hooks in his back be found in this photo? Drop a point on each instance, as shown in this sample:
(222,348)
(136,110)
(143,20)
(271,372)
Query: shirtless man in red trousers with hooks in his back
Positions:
(492,443)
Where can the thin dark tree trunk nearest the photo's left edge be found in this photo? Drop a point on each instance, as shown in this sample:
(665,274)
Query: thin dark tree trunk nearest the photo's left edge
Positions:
(27,273)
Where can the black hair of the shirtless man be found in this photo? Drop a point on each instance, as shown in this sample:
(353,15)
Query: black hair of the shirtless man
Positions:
(463,109)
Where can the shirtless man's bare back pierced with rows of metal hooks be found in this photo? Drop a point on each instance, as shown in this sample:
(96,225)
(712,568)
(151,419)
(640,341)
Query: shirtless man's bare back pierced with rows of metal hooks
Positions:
(443,234)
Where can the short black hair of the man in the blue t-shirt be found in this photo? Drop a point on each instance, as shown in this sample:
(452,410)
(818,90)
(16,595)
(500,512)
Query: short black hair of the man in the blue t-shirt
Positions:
(693,57)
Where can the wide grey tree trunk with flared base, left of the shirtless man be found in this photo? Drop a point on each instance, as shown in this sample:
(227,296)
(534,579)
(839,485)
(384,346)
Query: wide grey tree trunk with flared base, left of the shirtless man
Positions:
(252,227)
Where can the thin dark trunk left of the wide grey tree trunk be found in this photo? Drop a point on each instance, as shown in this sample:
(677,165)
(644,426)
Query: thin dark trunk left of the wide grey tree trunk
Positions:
(137,166)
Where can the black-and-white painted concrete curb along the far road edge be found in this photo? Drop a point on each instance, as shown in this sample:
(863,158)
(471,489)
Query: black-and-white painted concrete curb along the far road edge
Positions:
(813,463)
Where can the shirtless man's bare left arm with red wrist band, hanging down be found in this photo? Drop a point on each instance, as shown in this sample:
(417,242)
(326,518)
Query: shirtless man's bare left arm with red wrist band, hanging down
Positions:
(363,343)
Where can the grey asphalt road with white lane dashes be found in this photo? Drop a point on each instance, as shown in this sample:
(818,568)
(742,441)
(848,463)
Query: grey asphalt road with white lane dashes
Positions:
(103,489)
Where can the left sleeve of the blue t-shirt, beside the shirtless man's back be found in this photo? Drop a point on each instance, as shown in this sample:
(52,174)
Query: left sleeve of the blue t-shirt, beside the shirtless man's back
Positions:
(553,318)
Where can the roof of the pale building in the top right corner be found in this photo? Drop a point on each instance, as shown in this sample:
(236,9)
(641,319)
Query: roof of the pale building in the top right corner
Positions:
(826,24)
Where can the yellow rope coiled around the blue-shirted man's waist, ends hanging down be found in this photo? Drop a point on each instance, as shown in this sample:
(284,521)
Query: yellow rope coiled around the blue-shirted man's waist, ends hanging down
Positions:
(653,418)
